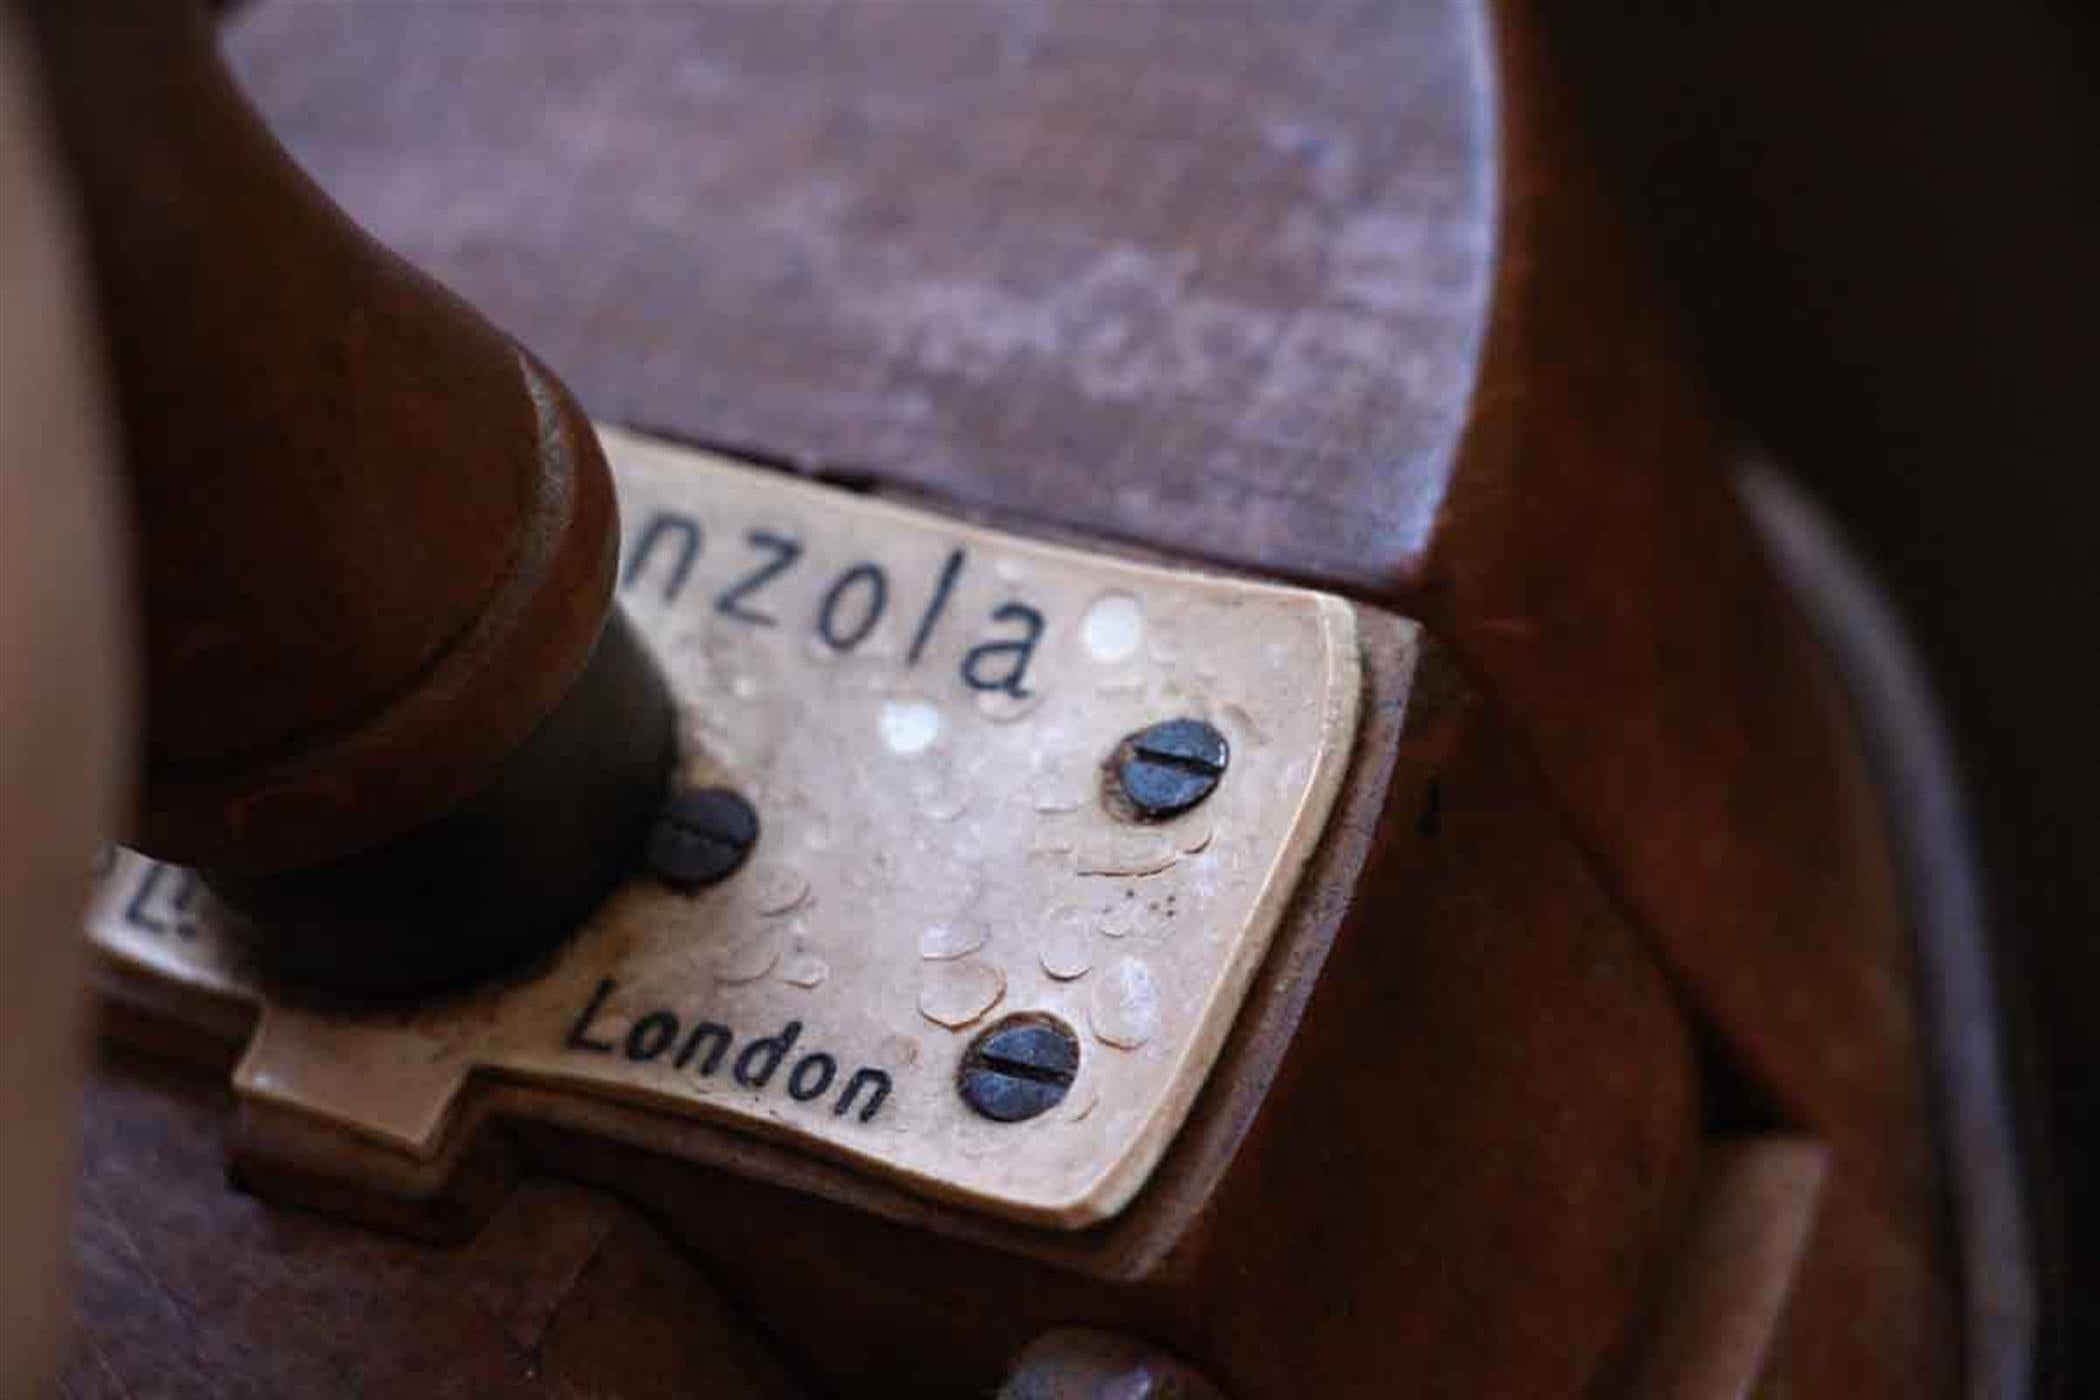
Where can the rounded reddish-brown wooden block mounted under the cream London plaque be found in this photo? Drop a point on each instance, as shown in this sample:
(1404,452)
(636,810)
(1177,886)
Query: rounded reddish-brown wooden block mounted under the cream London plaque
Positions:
(1452,1044)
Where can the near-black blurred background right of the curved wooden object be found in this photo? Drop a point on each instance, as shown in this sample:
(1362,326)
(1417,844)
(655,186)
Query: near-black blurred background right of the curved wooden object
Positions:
(1881,224)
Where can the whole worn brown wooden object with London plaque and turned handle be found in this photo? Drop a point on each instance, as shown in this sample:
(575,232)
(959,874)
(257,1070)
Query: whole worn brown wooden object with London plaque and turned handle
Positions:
(1206,794)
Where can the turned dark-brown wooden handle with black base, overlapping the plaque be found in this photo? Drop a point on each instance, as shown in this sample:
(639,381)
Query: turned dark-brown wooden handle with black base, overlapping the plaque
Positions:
(385,704)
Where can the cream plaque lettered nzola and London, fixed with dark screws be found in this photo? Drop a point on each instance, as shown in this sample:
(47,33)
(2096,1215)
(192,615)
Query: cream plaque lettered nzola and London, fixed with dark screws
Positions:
(921,710)
